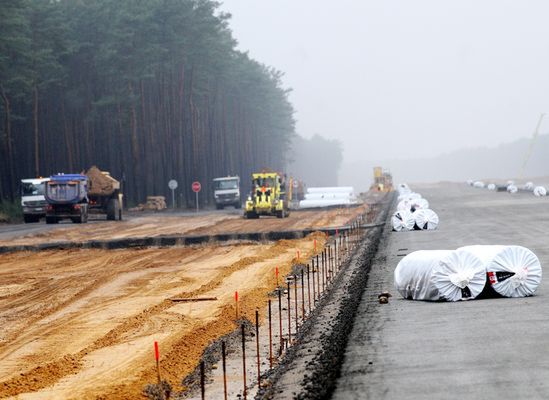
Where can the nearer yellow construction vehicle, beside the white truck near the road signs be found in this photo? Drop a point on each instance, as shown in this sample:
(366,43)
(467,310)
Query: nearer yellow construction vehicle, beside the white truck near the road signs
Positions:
(268,196)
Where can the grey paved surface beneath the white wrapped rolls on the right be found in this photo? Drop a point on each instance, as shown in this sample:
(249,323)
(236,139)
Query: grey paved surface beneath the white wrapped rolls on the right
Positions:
(479,349)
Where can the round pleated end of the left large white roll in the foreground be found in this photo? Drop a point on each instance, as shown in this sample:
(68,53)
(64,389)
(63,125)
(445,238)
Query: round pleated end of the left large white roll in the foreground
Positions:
(460,275)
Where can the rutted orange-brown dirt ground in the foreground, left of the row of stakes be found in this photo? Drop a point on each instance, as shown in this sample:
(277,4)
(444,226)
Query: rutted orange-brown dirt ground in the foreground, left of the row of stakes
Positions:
(81,324)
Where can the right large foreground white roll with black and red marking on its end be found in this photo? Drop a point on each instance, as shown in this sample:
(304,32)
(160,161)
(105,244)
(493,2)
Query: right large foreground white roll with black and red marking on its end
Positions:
(513,271)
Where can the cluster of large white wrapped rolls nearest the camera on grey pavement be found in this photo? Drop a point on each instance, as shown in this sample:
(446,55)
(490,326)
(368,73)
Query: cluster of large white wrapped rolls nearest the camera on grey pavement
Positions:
(462,274)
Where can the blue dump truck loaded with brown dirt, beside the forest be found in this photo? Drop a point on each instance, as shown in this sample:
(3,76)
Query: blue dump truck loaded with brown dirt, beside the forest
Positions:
(75,196)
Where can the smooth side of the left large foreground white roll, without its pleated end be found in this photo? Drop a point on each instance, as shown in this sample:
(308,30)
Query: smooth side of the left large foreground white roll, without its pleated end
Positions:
(413,274)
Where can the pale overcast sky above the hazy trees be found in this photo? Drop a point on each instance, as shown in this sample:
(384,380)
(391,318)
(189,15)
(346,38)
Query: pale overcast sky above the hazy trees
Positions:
(405,78)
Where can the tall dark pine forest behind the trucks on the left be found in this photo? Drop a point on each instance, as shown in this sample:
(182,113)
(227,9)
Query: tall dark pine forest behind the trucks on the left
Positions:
(150,90)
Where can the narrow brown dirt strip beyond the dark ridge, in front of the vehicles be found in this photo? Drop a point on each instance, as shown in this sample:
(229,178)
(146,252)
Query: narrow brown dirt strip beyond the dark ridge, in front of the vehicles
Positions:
(214,223)
